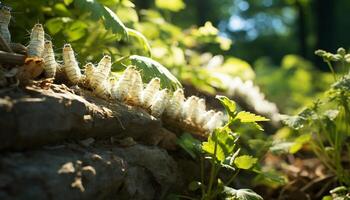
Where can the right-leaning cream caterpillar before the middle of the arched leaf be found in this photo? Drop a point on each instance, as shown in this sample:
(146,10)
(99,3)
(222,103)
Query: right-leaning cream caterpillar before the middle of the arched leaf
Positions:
(149,93)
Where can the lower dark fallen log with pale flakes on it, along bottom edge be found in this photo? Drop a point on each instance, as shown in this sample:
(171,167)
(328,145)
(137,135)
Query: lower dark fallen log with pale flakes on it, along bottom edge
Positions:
(100,171)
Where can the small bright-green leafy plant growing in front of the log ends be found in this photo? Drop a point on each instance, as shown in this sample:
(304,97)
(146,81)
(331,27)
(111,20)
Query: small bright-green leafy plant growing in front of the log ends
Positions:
(222,152)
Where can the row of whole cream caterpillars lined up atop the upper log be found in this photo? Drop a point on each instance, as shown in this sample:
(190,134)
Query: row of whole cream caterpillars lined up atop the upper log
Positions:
(129,88)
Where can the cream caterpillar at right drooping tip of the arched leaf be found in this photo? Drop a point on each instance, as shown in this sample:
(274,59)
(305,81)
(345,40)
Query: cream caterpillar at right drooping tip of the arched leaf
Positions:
(173,110)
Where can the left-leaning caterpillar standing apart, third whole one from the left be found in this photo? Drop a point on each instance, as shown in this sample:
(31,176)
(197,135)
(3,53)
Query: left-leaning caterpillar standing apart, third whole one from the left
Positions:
(71,66)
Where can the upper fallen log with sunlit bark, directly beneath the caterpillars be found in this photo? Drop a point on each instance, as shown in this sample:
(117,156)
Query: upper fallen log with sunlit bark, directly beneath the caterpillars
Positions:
(48,113)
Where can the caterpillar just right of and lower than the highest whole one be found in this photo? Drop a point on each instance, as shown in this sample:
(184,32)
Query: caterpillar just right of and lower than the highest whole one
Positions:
(51,65)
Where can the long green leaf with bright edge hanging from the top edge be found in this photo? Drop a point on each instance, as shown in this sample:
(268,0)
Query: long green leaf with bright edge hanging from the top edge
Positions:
(110,19)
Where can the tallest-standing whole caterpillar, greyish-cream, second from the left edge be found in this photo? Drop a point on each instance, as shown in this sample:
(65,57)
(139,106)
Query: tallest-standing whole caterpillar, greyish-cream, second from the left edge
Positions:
(37,41)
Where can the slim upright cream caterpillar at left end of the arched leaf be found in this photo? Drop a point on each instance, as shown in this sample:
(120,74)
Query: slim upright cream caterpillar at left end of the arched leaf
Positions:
(136,89)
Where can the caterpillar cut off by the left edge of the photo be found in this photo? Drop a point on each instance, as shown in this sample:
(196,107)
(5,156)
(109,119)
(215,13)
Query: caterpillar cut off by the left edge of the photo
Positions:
(5,17)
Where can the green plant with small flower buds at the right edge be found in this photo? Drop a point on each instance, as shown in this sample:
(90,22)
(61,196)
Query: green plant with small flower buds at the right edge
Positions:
(327,120)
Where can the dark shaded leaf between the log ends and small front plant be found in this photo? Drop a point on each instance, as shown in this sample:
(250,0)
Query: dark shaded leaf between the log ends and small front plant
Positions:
(191,145)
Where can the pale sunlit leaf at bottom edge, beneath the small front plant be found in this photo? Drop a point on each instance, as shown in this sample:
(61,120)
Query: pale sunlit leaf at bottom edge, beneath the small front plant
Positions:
(241,194)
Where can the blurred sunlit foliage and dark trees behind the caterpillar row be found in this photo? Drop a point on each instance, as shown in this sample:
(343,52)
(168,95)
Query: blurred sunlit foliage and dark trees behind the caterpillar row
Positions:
(269,42)
